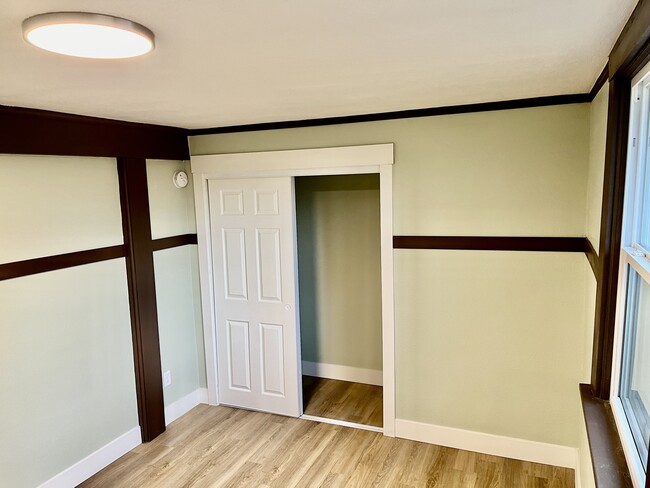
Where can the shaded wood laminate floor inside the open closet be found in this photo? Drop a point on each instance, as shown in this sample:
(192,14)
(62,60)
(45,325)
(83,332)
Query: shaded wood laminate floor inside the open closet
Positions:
(343,400)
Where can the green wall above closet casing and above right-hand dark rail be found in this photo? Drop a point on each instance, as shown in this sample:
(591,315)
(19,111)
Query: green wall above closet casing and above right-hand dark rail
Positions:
(513,172)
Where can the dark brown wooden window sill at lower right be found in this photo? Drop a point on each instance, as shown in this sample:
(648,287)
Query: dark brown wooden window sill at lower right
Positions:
(608,458)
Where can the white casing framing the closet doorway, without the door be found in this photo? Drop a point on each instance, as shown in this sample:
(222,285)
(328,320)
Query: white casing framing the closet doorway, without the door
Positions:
(374,158)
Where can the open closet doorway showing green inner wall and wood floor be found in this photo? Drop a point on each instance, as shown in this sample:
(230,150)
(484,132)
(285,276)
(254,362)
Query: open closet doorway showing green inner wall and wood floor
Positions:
(339,267)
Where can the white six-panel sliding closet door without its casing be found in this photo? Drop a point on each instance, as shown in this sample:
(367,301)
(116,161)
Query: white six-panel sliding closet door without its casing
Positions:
(252,226)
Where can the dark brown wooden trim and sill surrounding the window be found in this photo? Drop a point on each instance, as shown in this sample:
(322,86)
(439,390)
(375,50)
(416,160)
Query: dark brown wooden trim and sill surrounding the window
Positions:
(628,56)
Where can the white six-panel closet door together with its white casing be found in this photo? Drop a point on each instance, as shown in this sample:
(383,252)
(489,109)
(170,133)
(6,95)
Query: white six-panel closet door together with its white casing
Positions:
(245,204)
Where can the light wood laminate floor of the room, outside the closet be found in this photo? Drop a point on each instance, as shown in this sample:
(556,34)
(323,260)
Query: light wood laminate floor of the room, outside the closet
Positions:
(226,447)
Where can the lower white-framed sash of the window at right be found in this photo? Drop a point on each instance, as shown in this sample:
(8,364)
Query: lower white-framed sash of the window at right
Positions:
(635,373)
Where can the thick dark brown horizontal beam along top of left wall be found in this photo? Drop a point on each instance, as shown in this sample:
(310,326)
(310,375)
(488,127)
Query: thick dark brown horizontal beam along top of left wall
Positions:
(31,131)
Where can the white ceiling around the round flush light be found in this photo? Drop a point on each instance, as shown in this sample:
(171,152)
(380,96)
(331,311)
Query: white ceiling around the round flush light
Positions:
(231,62)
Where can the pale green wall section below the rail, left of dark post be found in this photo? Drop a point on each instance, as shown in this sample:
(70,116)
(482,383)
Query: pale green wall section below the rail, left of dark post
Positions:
(68,381)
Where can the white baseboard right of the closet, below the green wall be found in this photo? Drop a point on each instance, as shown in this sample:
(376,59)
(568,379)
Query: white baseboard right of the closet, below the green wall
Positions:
(510,447)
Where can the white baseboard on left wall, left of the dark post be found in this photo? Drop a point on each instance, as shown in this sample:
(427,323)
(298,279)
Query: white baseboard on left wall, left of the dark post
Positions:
(96,461)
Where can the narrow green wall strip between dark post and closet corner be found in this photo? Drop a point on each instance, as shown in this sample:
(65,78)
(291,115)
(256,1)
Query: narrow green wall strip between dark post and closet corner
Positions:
(177,281)
